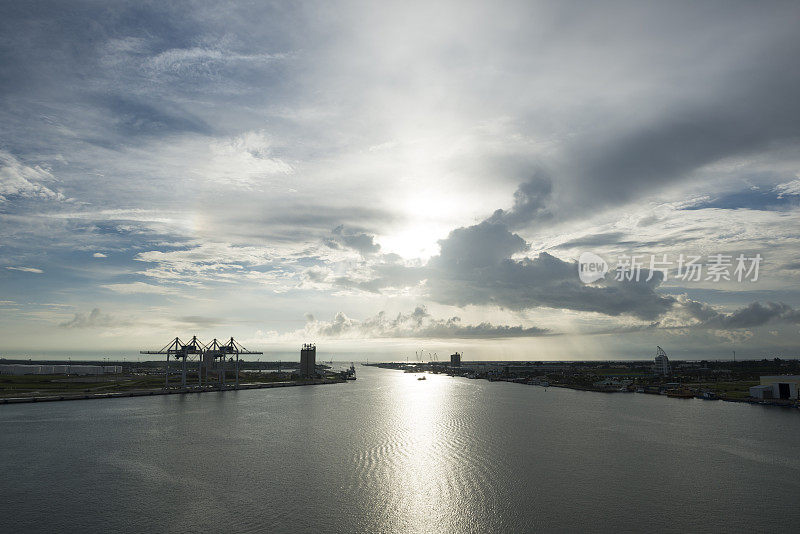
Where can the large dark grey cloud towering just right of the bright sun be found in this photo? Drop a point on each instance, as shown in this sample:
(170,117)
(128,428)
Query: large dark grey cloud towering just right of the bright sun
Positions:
(479,265)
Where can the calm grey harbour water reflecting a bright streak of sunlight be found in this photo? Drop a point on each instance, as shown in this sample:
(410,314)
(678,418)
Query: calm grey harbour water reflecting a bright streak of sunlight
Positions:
(389,453)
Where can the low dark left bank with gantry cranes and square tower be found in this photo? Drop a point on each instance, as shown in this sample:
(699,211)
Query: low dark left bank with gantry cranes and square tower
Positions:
(187,367)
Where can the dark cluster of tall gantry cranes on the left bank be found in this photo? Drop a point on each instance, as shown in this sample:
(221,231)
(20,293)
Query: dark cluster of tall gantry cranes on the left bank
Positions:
(213,354)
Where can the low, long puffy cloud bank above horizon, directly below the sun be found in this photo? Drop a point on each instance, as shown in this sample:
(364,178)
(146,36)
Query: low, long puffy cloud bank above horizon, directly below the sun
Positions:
(417,324)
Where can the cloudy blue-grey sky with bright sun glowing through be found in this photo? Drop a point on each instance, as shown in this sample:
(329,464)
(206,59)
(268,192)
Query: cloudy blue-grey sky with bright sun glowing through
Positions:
(397,178)
